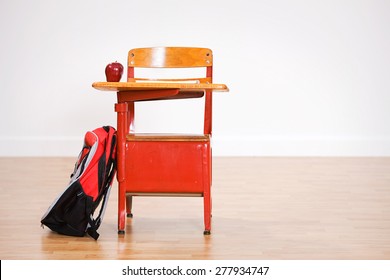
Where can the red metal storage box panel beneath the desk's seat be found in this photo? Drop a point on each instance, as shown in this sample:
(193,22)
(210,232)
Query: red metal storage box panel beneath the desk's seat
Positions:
(167,167)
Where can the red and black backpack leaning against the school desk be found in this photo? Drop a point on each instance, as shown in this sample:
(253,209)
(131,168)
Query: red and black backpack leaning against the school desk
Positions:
(72,213)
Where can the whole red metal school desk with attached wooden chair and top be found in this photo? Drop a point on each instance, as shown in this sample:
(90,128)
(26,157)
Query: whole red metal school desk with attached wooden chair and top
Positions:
(163,164)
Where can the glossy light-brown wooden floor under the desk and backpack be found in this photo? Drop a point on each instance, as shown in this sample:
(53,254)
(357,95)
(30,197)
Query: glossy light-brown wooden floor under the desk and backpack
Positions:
(263,208)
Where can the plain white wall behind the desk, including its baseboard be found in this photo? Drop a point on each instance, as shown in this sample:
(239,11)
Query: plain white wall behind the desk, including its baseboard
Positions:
(305,77)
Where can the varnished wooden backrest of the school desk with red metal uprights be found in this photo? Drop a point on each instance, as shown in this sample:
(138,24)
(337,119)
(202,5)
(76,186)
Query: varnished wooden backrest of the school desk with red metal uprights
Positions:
(175,57)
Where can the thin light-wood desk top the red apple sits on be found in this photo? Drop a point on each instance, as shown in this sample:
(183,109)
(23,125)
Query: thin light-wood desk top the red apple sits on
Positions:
(131,86)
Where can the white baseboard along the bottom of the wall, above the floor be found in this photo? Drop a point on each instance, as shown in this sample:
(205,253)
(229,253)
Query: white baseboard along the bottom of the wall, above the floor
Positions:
(222,146)
